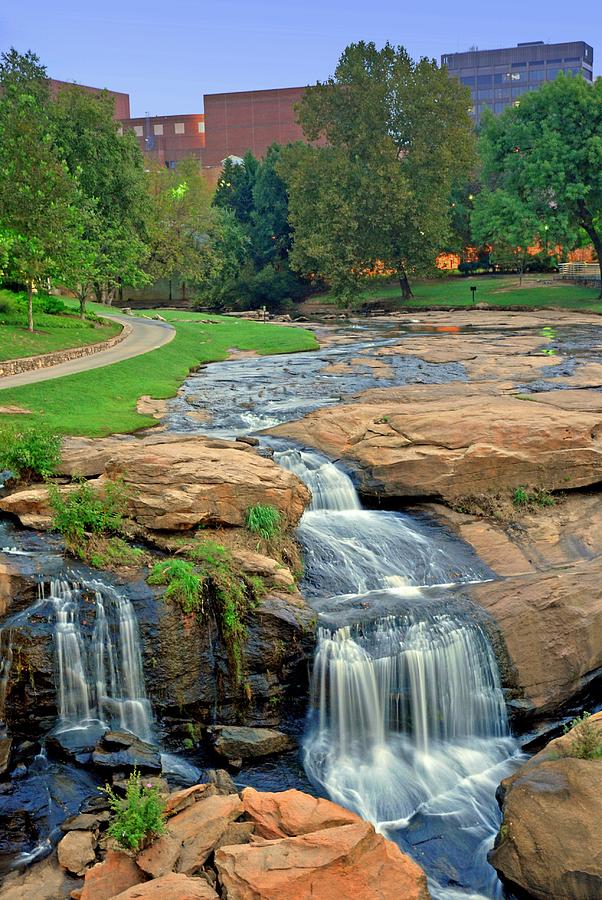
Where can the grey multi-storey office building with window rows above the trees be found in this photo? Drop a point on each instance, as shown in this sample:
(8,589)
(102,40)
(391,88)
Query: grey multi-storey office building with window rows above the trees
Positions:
(499,78)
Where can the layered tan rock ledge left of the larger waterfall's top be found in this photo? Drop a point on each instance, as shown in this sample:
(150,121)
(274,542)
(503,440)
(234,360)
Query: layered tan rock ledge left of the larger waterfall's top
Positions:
(174,482)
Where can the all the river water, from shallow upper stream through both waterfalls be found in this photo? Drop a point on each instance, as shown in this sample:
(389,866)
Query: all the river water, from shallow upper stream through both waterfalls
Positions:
(406,721)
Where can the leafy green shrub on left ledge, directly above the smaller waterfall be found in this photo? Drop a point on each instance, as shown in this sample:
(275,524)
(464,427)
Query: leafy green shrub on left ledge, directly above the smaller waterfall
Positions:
(82,511)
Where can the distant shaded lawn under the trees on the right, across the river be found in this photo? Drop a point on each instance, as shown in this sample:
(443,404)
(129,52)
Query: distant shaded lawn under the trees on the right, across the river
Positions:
(454,291)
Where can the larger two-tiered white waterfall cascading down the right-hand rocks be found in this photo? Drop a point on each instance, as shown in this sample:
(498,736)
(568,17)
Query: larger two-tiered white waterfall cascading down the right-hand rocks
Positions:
(407,724)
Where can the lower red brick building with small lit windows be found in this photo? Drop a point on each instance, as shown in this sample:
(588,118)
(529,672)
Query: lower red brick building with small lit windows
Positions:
(168,139)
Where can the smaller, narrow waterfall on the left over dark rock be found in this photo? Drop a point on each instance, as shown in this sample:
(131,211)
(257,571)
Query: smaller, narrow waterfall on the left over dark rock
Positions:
(99,668)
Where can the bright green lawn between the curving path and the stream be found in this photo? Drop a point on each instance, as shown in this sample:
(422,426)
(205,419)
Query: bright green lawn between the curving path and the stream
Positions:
(103,401)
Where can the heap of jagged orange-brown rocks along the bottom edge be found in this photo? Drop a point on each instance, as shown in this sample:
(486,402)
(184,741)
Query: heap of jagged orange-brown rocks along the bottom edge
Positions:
(222,844)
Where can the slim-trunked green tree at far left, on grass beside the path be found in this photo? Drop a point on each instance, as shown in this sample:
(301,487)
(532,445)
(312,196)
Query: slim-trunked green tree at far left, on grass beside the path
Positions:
(39,198)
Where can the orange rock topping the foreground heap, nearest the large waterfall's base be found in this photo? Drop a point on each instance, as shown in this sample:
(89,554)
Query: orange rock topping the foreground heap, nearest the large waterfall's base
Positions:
(290,813)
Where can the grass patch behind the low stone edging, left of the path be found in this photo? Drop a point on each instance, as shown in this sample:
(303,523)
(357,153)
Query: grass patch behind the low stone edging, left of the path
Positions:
(52,332)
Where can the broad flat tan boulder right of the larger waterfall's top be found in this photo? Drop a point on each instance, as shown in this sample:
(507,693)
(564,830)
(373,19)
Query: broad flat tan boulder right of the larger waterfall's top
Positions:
(447,444)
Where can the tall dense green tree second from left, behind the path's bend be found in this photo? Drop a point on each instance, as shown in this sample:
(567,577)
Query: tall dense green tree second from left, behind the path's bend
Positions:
(110,171)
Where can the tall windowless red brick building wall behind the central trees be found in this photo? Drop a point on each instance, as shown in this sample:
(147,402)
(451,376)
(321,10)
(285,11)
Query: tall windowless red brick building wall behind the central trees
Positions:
(249,120)
